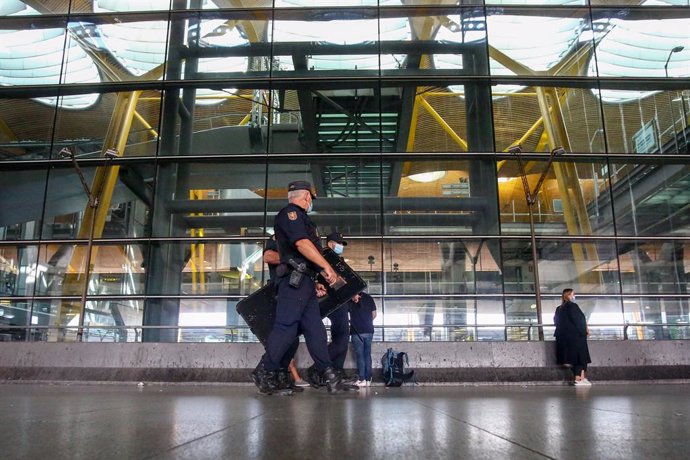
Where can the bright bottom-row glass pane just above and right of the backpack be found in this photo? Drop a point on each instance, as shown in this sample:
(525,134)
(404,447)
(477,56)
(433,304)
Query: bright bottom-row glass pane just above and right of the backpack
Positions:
(443,319)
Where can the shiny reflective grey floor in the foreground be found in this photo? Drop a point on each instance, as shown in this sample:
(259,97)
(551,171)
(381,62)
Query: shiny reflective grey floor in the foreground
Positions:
(230,422)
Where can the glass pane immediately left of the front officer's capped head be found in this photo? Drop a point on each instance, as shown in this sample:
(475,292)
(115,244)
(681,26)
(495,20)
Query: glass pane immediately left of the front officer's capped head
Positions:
(212,199)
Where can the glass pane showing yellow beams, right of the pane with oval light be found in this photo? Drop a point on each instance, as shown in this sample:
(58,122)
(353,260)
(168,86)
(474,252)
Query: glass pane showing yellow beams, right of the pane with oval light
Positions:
(572,199)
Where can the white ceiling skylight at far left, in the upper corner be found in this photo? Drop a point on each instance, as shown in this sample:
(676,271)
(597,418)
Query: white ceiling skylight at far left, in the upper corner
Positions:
(34,57)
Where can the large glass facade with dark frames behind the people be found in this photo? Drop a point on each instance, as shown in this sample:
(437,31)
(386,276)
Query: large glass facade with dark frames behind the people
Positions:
(479,157)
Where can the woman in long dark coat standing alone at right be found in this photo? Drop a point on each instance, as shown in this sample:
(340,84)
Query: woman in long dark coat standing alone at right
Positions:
(571,337)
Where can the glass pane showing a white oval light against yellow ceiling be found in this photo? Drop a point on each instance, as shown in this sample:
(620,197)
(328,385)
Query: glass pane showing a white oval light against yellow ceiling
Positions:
(441,197)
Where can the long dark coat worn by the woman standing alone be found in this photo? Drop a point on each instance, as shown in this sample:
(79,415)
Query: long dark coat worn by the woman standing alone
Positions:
(571,335)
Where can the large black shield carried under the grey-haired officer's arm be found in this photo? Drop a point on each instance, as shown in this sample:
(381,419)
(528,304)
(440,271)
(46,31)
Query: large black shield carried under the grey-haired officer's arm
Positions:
(259,309)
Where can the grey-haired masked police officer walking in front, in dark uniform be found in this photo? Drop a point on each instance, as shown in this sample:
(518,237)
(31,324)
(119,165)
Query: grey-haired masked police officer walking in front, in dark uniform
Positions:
(298,308)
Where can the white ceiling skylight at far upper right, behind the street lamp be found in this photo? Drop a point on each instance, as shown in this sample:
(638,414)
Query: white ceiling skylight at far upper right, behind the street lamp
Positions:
(640,49)
